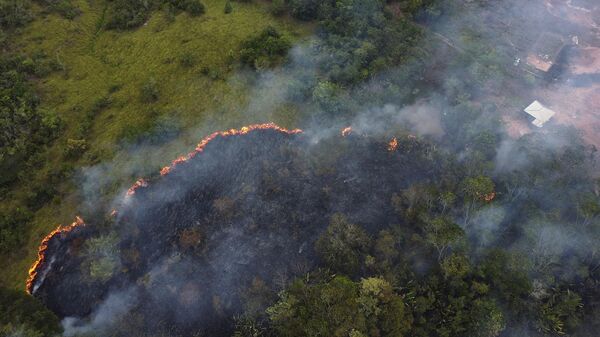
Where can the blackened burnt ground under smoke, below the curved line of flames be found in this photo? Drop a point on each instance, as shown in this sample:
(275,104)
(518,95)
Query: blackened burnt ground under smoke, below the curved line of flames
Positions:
(253,206)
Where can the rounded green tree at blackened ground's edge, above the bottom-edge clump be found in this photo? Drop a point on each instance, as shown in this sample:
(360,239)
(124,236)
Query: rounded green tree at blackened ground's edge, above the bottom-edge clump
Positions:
(343,245)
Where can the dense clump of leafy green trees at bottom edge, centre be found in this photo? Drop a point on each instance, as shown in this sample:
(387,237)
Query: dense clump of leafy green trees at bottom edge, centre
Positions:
(340,307)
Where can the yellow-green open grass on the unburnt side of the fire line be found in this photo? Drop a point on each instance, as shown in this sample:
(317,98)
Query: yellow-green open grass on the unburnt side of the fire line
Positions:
(115,64)
